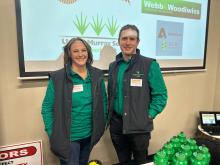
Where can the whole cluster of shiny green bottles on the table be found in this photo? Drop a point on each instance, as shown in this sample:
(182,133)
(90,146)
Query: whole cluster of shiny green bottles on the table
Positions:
(182,151)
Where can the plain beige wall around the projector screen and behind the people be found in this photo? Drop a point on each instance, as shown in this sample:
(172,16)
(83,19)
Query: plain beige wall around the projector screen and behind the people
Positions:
(20,101)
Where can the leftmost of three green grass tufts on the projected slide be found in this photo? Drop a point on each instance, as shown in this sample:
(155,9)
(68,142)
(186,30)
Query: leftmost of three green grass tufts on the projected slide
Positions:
(81,23)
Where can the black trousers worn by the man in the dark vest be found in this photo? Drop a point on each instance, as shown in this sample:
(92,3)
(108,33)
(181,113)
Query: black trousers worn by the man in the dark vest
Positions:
(128,145)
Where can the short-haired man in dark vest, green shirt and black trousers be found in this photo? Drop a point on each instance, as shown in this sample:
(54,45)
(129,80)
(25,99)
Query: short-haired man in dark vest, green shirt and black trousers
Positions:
(137,94)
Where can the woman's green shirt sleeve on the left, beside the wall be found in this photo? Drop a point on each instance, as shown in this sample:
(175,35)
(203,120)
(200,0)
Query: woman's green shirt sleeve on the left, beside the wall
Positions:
(47,108)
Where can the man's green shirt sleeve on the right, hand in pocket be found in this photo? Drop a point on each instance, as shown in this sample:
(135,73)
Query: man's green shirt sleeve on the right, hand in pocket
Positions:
(158,90)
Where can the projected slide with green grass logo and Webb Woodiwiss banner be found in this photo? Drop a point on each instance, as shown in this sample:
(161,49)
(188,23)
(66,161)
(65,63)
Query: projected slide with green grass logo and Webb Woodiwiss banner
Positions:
(173,32)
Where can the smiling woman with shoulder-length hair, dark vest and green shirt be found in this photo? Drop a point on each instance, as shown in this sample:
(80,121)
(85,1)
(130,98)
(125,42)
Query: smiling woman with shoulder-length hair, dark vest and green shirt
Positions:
(74,107)
